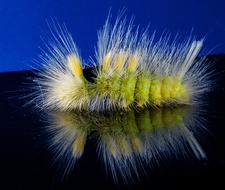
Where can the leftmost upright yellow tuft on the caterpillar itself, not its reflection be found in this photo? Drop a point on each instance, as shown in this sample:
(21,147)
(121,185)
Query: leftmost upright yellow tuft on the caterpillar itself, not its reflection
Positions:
(75,65)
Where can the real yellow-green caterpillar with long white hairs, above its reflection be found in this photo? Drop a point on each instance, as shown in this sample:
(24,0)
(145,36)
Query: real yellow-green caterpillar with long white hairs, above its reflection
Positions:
(131,70)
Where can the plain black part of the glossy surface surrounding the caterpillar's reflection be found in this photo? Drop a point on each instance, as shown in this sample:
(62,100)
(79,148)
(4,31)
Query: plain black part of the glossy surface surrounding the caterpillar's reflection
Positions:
(26,162)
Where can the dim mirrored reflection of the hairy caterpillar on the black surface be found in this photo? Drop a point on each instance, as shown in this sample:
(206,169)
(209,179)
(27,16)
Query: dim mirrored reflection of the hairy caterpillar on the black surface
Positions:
(126,140)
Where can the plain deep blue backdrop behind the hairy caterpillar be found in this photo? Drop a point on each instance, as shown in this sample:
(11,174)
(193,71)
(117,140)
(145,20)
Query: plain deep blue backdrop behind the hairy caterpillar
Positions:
(23,22)
